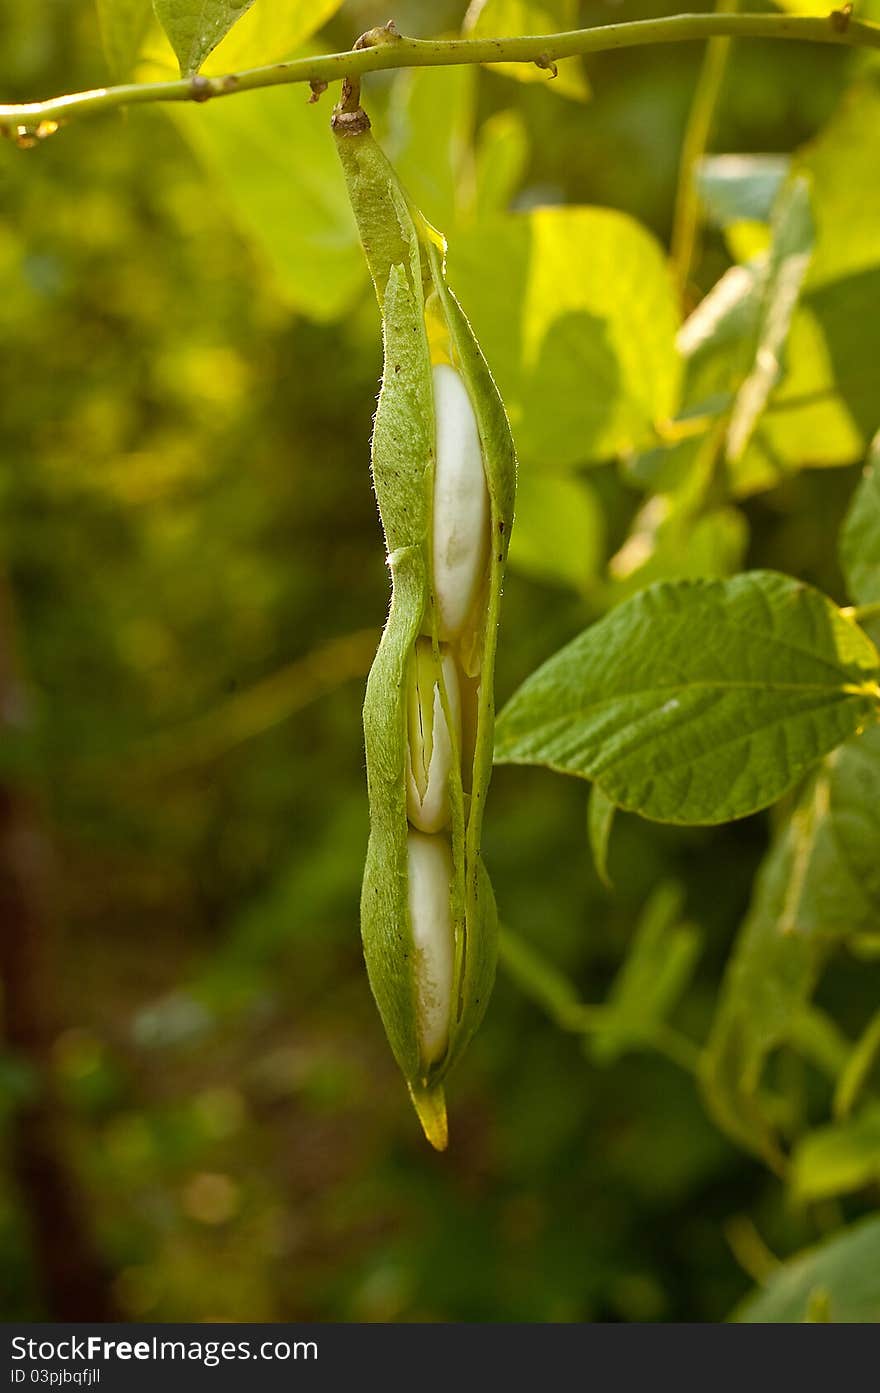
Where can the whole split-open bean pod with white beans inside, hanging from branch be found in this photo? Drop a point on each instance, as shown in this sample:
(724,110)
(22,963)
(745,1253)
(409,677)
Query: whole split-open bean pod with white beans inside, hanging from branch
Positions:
(445,477)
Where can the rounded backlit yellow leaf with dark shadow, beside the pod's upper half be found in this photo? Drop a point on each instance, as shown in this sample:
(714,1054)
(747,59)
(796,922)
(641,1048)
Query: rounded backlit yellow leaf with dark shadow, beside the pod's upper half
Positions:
(579,318)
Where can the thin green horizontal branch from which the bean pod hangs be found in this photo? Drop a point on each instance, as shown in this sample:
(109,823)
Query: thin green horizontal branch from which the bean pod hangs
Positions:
(33,120)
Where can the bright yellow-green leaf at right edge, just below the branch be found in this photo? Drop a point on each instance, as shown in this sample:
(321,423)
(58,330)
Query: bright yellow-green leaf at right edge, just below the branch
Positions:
(843,169)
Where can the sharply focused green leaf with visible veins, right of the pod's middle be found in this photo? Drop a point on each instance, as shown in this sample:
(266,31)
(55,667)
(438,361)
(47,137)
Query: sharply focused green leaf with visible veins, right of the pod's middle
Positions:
(700,701)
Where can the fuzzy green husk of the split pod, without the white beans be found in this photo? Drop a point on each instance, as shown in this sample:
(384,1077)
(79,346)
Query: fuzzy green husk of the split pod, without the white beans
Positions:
(424,324)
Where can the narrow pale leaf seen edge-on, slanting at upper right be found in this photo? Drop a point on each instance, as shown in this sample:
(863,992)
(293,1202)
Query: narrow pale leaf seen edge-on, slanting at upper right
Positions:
(780,288)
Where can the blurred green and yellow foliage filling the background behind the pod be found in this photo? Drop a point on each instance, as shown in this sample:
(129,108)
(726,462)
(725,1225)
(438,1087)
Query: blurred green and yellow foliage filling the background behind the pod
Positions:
(186,516)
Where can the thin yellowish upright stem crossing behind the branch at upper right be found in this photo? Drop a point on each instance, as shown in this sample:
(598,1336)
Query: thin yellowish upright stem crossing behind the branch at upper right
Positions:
(698,132)
